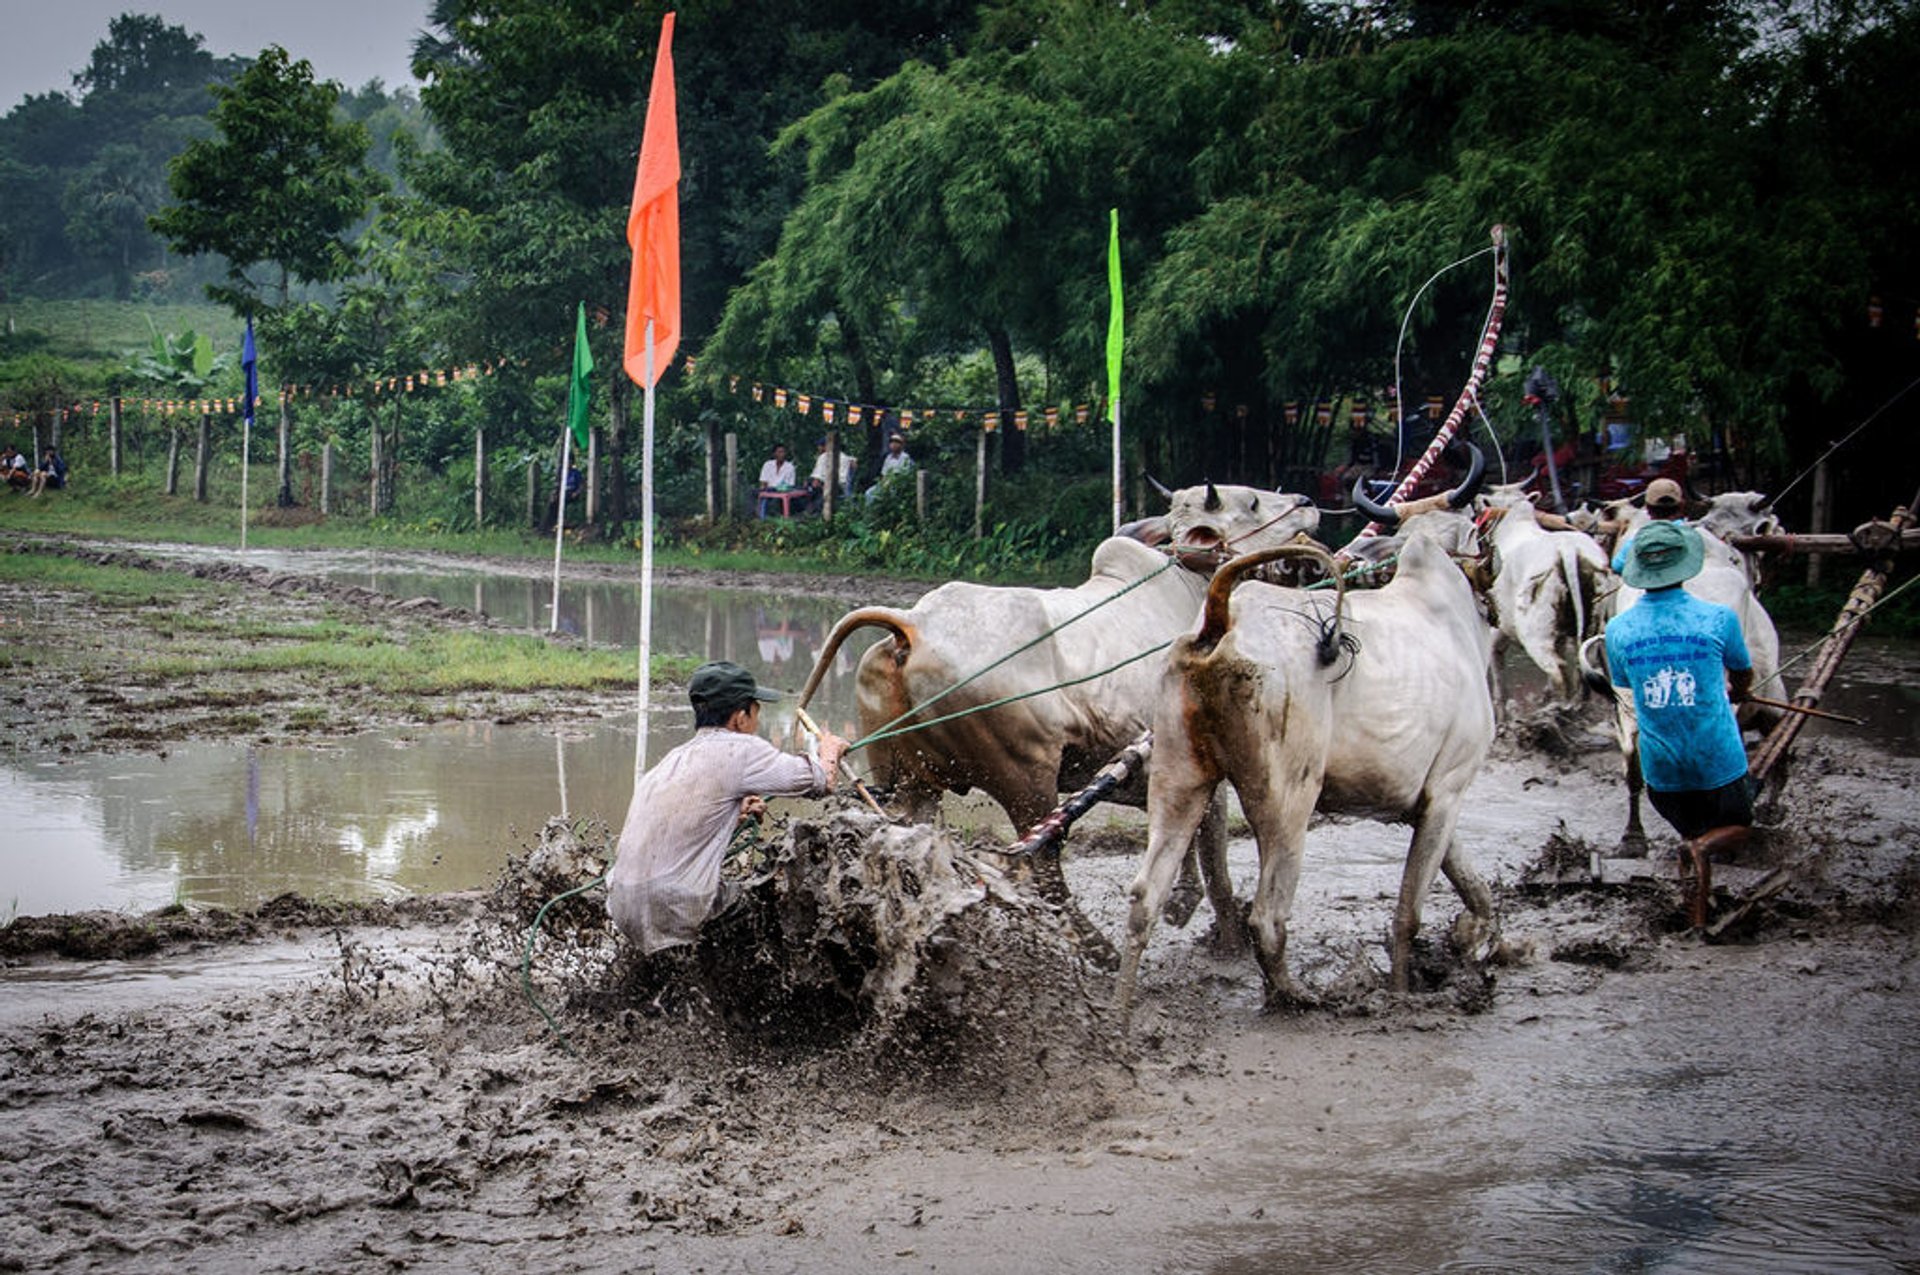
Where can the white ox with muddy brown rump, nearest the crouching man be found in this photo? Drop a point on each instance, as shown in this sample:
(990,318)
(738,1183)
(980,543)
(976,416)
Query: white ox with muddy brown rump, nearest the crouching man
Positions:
(1080,675)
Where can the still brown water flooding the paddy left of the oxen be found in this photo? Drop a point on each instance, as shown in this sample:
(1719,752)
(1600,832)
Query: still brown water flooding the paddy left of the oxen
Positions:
(231,825)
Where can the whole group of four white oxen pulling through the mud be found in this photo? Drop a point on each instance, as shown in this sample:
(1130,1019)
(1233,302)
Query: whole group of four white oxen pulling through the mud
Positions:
(1360,681)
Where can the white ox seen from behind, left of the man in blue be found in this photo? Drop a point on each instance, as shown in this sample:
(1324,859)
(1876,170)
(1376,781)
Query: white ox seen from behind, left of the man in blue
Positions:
(1545,587)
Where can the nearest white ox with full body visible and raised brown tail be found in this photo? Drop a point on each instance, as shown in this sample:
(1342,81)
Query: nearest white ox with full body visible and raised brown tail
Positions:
(1274,698)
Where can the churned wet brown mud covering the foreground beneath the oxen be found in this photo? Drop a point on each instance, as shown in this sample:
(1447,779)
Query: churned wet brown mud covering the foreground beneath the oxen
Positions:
(898,1061)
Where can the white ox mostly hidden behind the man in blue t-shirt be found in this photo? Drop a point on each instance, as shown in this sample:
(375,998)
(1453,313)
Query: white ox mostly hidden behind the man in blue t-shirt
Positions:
(1727,579)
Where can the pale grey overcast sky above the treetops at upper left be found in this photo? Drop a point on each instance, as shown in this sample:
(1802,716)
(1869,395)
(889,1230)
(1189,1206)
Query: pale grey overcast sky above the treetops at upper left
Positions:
(43,43)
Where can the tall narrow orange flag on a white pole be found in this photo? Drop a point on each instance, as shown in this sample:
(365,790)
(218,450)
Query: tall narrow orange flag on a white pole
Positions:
(654,228)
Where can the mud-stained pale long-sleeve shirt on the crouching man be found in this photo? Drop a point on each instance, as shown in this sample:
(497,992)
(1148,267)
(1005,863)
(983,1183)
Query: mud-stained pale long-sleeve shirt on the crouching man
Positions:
(667,869)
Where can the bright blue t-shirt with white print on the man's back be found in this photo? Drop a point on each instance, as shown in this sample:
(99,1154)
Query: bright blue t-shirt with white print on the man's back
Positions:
(1675,652)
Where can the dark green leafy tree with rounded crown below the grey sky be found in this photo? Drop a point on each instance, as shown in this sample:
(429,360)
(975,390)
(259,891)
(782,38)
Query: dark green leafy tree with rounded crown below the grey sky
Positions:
(279,185)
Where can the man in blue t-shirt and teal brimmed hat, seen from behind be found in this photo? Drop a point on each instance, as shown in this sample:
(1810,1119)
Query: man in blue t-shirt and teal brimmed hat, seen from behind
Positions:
(1687,665)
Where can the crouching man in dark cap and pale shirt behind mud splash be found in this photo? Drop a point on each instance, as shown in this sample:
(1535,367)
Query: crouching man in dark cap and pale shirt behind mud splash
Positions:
(665,877)
